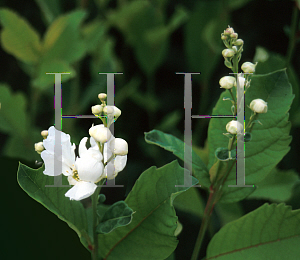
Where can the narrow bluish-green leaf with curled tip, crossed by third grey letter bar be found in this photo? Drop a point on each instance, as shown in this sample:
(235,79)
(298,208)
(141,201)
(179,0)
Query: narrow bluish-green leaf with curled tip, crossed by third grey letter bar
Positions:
(176,146)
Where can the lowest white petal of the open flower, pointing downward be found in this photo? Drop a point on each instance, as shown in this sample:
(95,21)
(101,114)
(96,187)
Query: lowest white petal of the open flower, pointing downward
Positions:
(81,190)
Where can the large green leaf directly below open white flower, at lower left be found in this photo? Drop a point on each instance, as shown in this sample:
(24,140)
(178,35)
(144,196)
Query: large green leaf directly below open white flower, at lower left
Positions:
(33,182)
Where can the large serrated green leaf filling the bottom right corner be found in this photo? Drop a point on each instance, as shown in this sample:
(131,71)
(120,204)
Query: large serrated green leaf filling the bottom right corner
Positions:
(269,232)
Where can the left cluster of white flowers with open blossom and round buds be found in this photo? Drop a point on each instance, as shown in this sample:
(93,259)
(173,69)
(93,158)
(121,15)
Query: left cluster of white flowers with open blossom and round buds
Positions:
(92,164)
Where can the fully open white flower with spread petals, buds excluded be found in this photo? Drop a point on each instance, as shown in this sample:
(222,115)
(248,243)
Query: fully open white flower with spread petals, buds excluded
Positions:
(83,172)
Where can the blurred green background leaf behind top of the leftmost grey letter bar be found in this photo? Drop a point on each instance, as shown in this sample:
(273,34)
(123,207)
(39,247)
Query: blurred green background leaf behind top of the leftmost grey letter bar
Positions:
(43,80)
